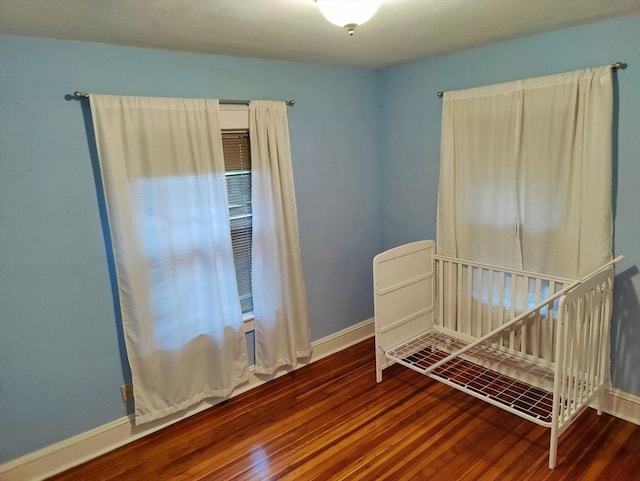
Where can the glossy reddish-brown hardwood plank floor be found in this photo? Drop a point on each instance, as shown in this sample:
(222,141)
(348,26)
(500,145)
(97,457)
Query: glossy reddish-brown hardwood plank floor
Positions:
(332,421)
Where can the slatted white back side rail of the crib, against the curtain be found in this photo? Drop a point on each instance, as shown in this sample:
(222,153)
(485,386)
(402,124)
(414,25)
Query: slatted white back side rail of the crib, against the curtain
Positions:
(476,299)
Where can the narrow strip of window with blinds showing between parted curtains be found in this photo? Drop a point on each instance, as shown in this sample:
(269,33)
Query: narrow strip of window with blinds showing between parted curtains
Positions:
(237,159)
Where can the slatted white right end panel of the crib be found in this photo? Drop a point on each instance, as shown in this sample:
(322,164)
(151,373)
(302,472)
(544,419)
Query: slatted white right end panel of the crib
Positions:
(582,349)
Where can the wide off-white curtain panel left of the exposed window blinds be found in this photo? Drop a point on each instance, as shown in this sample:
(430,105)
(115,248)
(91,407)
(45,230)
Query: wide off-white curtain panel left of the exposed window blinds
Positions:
(162,170)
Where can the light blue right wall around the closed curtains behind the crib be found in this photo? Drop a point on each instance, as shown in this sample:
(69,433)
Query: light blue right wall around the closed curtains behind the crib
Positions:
(409,176)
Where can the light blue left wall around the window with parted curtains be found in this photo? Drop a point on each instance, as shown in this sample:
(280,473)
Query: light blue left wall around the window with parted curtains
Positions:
(61,362)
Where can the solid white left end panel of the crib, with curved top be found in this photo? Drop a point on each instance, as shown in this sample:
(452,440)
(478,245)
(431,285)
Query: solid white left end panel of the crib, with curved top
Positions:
(404,296)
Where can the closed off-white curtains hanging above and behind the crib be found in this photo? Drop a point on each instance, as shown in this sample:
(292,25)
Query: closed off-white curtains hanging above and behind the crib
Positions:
(525,176)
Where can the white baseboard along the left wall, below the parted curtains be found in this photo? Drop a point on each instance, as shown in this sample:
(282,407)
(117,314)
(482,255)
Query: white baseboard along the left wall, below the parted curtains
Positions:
(78,449)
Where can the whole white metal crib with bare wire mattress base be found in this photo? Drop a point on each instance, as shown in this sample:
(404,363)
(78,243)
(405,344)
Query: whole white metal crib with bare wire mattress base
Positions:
(534,345)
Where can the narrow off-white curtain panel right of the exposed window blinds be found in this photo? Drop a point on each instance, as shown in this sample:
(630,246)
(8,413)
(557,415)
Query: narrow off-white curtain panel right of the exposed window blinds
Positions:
(279,299)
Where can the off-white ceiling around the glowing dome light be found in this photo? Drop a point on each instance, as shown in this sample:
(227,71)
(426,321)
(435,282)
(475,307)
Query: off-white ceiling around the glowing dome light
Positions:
(401,30)
